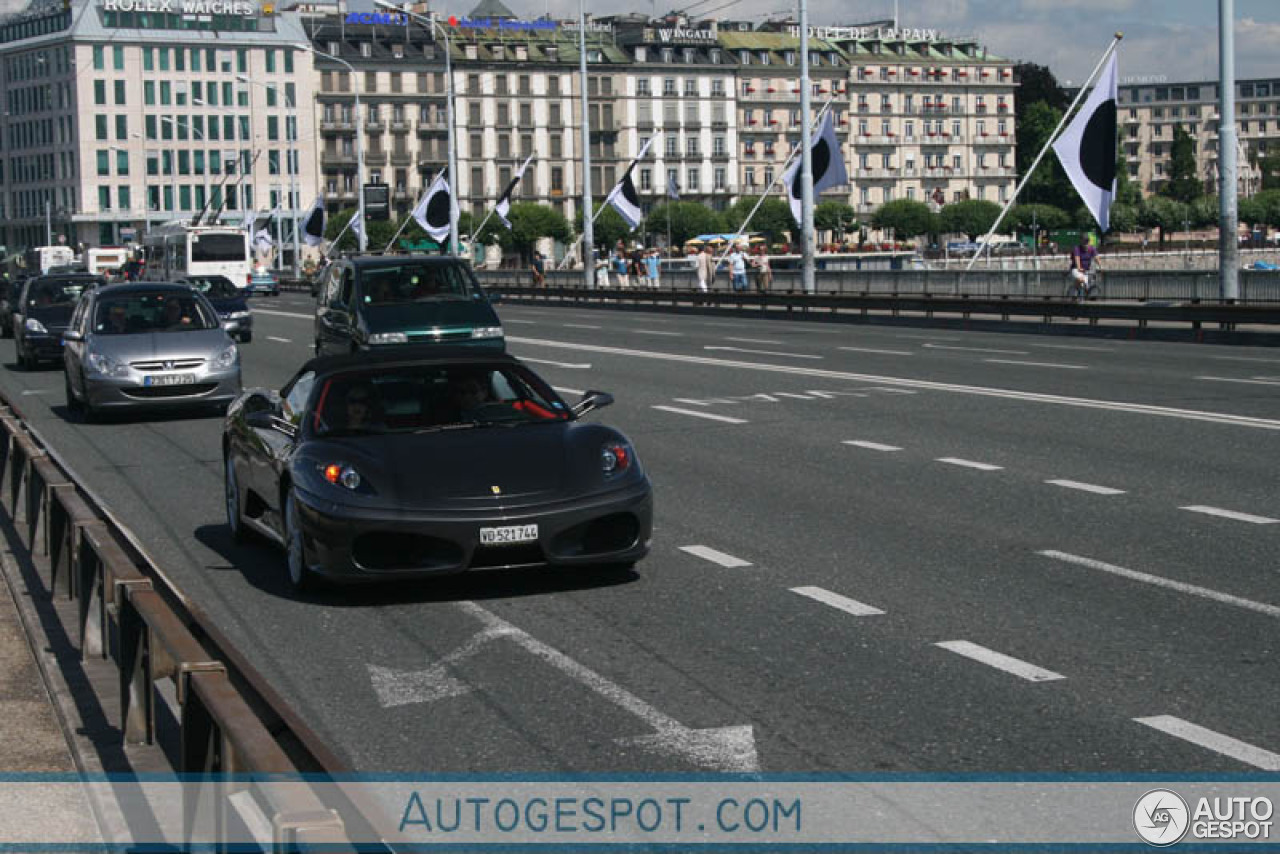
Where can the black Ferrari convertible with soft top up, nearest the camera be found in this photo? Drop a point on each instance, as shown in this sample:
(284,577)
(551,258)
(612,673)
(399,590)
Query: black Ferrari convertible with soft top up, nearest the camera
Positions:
(427,460)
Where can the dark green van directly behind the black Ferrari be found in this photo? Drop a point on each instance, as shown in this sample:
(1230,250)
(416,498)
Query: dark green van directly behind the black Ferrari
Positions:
(376,302)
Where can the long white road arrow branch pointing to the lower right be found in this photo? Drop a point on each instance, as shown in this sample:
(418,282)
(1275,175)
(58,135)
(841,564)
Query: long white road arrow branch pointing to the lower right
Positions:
(730,748)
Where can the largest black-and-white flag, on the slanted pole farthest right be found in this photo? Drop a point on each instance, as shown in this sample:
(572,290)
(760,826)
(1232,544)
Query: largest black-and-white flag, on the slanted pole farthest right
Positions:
(1087,149)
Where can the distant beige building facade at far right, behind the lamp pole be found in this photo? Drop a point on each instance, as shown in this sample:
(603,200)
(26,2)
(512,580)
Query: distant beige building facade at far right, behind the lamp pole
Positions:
(1149,115)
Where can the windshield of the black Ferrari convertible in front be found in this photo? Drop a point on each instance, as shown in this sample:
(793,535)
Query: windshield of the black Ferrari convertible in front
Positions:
(422,399)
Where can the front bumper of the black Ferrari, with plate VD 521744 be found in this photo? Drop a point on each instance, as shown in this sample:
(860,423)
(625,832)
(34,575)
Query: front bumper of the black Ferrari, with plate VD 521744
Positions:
(356,545)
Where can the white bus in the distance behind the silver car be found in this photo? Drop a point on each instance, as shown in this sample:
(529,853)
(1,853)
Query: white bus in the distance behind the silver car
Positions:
(177,250)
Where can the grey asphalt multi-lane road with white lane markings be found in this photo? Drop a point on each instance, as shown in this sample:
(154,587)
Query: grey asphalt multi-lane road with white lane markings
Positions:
(875,550)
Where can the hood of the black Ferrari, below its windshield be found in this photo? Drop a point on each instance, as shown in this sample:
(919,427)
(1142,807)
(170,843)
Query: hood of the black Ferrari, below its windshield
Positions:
(473,467)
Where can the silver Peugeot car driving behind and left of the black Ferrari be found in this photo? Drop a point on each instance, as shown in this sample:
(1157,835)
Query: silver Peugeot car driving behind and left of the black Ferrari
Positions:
(148,345)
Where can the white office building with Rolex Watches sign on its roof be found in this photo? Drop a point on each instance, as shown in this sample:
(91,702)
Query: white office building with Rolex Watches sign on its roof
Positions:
(120,117)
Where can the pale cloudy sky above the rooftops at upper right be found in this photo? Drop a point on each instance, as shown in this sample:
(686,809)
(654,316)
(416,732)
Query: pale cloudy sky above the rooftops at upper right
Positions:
(1172,39)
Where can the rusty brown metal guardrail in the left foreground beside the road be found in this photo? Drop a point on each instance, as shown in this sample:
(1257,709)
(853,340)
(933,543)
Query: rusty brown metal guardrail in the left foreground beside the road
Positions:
(127,615)
